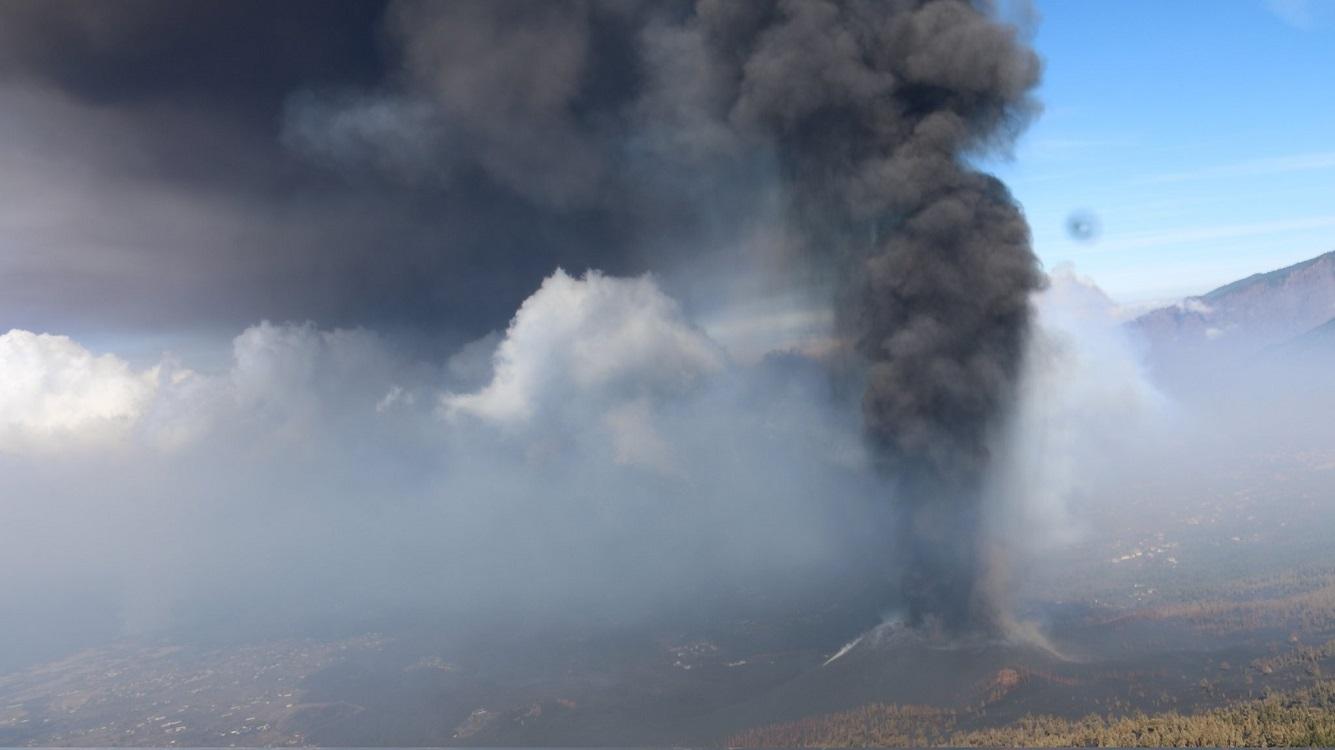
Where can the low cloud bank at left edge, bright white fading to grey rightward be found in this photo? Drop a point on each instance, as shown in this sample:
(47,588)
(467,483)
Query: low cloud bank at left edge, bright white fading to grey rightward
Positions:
(284,380)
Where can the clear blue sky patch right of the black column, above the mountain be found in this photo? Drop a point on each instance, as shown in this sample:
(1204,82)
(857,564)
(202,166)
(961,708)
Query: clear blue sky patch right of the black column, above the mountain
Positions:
(1202,135)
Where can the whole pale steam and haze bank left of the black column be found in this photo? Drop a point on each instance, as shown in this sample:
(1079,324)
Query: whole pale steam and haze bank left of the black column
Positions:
(603,460)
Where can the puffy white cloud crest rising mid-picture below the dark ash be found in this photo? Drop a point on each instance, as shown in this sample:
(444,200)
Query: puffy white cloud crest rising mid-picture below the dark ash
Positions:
(591,336)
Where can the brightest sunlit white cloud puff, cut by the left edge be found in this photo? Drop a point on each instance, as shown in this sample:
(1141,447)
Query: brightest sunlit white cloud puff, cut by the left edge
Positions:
(54,392)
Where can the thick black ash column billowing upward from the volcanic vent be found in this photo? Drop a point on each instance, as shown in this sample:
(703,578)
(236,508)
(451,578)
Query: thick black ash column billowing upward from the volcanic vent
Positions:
(875,109)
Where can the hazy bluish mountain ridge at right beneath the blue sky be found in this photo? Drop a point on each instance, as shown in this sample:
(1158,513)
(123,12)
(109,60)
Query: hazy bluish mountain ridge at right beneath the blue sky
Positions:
(1240,320)
